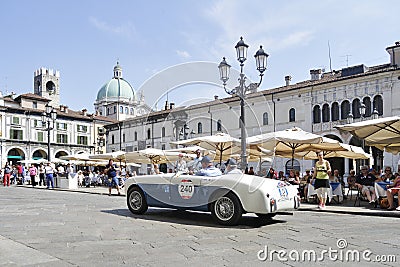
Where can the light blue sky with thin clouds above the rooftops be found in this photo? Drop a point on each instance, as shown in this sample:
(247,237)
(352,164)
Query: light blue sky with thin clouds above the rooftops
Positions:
(84,39)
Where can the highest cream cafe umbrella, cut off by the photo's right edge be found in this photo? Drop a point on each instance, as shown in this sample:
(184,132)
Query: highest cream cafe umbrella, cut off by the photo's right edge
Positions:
(383,133)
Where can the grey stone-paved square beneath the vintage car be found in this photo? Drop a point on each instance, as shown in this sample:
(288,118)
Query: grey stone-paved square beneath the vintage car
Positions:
(60,228)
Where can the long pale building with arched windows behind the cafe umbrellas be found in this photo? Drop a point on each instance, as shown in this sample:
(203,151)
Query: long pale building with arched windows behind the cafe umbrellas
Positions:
(316,105)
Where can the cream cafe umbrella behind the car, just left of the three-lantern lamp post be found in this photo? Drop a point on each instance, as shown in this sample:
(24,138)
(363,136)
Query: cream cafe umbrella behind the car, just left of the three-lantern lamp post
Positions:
(223,144)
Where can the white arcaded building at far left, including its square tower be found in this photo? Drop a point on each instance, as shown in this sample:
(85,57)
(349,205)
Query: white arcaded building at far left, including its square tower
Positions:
(23,136)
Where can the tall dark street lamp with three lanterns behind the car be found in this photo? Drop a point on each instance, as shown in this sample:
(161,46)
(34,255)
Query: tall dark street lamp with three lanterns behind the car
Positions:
(240,91)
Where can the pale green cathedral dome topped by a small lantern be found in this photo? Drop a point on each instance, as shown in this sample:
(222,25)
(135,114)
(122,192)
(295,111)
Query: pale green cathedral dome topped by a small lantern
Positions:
(117,88)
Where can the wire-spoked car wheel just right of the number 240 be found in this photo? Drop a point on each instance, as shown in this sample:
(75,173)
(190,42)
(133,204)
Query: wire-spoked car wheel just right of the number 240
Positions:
(227,210)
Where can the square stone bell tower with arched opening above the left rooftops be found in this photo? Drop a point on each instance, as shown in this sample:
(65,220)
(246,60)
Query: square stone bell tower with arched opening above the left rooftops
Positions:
(46,83)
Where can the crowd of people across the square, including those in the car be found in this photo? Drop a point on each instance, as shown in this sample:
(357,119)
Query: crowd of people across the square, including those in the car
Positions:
(320,176)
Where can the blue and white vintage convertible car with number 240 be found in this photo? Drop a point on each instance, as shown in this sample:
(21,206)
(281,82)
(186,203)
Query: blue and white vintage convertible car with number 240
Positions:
(227,196)
